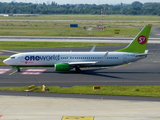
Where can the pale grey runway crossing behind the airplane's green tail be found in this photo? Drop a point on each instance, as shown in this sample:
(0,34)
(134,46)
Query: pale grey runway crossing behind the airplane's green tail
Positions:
(75,39)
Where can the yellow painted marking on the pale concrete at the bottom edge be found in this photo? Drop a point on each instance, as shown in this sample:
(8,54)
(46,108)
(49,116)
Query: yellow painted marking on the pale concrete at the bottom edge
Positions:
(77,118)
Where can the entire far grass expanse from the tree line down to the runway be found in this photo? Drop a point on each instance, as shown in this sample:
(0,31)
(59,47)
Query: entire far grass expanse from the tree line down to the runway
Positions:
(45,26)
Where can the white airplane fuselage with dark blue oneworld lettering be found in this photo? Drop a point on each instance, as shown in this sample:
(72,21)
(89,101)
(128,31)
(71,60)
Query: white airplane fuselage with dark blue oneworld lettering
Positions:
(52,58)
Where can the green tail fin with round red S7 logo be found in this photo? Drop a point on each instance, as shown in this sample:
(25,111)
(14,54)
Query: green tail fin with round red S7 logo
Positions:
(139,43)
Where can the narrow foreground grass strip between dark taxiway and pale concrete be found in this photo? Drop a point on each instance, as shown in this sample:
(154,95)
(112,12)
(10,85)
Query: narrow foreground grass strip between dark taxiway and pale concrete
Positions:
(145,91)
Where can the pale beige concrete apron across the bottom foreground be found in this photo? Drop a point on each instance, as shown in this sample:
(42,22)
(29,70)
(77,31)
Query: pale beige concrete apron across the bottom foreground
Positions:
(52,108)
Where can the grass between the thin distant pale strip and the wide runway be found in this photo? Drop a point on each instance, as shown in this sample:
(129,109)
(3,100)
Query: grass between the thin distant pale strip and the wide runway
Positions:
(40,28)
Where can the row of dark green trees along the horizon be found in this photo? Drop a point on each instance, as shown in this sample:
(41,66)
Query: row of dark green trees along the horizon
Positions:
(136,8)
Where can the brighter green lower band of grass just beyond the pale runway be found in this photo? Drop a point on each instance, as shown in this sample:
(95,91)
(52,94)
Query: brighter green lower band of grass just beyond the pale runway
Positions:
(70,32)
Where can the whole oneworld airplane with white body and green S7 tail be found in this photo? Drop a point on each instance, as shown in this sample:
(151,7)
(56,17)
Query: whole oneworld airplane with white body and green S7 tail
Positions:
(65,61)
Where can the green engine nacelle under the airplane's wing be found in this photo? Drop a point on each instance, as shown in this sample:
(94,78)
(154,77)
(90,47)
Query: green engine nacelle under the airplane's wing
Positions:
(62,67)
